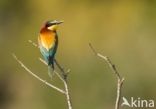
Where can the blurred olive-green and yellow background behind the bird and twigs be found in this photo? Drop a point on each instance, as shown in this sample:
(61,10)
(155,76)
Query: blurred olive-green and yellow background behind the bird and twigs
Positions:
(124,30)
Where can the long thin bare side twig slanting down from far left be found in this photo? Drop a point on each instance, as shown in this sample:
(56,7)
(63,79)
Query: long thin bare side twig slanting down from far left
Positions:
(37,77)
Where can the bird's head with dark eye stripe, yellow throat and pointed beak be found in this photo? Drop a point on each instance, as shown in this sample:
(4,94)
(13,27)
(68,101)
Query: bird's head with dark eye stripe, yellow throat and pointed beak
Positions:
(52,25)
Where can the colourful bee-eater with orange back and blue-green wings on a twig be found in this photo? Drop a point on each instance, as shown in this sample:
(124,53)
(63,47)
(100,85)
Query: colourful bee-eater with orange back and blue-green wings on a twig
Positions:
(48,43)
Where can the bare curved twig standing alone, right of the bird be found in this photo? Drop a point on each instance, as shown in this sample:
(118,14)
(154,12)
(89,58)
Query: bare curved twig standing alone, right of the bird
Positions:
(119,78)
